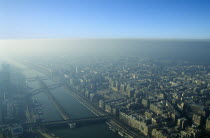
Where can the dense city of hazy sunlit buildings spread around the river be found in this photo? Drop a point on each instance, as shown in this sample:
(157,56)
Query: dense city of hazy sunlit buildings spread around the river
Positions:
(139,97)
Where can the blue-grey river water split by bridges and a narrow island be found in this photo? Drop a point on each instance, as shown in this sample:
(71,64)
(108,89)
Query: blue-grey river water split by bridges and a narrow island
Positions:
(72,107)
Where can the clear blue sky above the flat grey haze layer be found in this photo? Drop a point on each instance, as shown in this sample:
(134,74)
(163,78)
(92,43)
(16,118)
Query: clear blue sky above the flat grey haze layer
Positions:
(104,18)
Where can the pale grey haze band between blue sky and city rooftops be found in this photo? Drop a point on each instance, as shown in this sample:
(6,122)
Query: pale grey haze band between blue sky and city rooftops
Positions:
(172,49)
